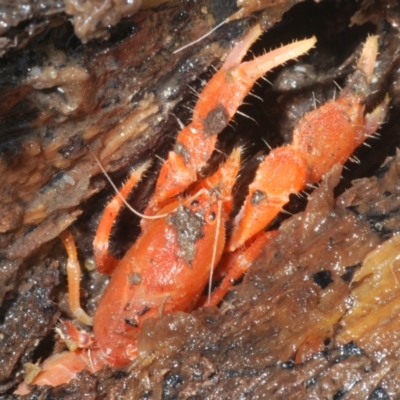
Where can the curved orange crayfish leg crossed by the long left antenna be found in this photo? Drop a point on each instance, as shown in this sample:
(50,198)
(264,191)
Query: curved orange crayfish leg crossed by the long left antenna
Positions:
(105,262)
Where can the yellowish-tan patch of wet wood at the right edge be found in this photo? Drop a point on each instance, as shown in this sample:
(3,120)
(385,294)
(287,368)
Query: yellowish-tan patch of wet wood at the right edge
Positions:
(375,296)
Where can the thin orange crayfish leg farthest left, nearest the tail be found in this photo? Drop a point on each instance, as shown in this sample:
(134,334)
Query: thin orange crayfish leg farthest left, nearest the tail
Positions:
(74,279)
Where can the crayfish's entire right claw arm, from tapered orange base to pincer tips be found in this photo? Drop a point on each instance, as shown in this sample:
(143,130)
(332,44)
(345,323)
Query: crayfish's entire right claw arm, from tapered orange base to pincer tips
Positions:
(322,138)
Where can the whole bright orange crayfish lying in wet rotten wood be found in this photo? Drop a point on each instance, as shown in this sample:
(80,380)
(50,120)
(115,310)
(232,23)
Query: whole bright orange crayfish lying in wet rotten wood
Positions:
(183,234)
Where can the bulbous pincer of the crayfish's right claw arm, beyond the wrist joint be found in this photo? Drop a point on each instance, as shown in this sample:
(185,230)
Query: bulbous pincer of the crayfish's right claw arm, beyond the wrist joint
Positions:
(330,134)
